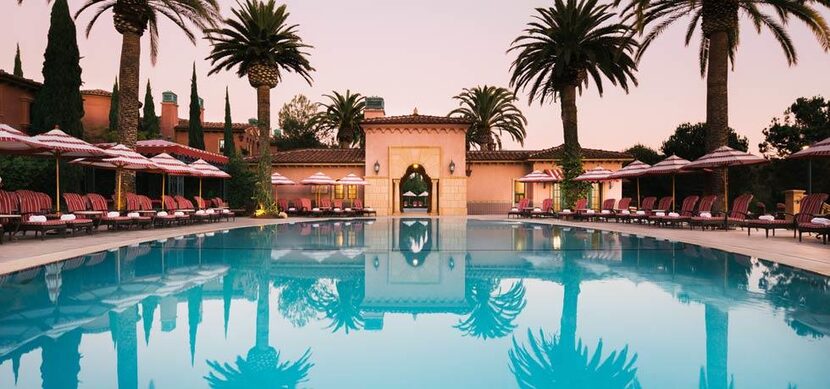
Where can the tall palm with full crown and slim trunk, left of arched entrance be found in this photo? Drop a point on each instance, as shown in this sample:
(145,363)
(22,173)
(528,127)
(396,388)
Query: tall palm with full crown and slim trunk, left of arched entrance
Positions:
(261,45)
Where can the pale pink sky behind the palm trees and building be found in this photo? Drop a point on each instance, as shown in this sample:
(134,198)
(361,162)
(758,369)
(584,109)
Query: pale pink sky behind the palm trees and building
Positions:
(420,54)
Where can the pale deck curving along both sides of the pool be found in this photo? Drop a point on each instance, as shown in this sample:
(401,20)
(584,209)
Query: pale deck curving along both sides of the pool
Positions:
(810,255)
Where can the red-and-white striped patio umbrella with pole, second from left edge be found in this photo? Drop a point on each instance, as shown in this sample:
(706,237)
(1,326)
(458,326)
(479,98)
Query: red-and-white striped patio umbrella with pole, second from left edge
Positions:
(64,146)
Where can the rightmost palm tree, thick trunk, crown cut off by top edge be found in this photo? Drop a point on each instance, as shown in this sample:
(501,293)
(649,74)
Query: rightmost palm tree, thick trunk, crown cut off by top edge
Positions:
(718,24)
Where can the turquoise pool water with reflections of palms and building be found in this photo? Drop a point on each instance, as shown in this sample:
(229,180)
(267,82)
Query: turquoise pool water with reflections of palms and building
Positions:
(414,303)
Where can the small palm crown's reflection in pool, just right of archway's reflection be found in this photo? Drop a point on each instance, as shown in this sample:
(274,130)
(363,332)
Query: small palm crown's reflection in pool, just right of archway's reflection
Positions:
(493,311)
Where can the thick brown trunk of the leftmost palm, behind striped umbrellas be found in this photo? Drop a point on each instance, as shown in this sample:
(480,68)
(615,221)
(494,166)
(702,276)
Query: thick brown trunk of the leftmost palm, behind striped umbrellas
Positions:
(128,104)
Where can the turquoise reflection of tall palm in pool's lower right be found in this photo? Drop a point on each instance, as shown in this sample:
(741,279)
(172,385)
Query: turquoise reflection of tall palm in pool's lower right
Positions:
(562,360)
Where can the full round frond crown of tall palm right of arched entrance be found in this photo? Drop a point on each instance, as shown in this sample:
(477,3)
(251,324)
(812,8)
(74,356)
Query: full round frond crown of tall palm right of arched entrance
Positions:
(570,43)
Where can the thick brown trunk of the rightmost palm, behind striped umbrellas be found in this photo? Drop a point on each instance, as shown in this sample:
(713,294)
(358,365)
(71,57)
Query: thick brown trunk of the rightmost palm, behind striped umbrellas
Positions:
(717,102)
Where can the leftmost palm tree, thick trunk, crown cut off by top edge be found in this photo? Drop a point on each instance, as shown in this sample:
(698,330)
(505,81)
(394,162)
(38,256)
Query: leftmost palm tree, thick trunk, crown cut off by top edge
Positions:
(132,18)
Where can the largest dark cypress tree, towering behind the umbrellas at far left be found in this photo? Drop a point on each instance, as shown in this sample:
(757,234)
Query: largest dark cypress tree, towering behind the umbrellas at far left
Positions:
(59,101)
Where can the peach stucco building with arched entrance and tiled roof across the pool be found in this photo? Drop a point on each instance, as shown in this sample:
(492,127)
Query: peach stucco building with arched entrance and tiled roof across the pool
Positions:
(461,182)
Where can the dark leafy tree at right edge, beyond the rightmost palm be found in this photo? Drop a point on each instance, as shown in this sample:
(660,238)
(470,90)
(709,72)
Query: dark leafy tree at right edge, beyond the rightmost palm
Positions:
(806,121)
